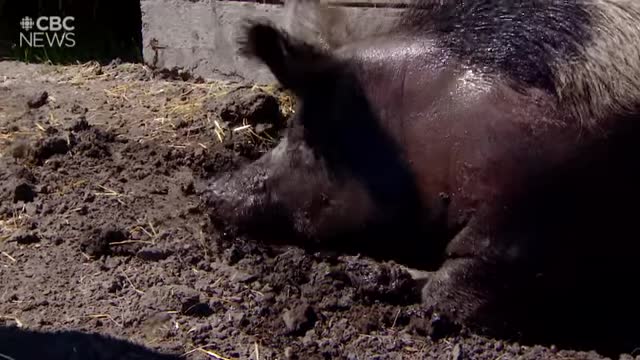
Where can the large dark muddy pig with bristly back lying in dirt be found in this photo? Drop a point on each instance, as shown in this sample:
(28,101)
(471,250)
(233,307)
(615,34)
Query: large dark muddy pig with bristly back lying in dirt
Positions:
(492,141)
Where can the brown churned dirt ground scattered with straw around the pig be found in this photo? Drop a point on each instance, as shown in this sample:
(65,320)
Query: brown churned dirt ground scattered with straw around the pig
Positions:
(107,253)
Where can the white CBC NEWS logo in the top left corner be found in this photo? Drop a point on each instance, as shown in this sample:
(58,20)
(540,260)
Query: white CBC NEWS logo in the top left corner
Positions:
(51,31)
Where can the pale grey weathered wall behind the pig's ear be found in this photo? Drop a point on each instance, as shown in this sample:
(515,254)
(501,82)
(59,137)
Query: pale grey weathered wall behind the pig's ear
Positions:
(199,36)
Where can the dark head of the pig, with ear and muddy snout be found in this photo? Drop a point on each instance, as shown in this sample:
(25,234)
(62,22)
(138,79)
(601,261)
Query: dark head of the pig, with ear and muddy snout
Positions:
(335,173)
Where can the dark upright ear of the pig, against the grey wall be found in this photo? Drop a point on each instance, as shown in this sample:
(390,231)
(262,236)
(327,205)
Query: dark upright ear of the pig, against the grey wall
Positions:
(295,63)
